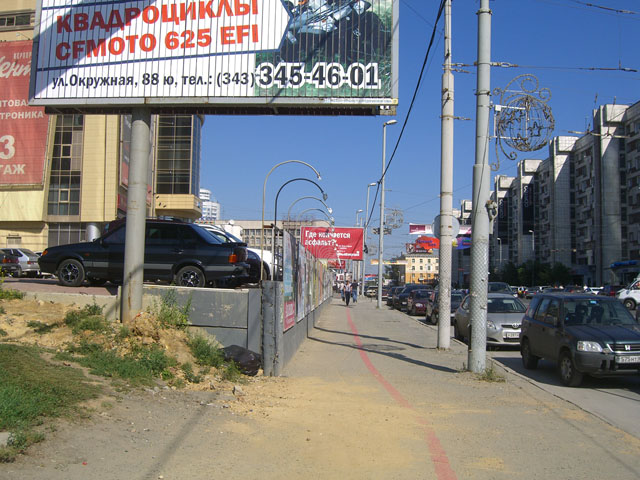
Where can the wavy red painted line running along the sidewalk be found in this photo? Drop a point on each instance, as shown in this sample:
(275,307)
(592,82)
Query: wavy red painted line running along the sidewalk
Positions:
(438,455)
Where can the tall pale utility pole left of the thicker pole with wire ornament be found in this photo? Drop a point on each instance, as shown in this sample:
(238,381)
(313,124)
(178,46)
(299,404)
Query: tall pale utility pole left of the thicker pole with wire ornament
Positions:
(446,189)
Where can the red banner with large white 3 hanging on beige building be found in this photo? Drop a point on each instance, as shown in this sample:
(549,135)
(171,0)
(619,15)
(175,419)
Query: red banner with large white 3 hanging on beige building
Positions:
(23,129)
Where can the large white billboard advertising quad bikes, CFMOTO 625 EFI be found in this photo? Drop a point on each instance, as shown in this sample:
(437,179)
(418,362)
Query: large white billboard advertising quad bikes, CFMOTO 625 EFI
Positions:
(225,56)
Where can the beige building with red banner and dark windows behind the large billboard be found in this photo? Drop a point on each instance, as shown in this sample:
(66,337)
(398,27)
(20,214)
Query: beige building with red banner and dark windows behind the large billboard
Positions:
(63,177)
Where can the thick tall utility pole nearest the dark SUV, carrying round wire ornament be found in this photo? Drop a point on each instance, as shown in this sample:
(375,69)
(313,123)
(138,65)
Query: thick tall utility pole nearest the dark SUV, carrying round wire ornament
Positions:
(480,215)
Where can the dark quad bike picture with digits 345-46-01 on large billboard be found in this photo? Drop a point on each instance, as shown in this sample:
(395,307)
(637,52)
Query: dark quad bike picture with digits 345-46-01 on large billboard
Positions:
(340,45)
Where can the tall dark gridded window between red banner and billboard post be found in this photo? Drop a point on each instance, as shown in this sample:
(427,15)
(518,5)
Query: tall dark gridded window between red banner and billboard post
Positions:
(66,166)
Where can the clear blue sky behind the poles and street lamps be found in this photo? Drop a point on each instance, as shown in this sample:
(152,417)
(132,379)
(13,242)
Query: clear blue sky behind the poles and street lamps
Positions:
(558,41)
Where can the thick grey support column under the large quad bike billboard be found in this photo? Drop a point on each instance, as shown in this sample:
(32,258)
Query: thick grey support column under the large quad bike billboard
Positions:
(136,215)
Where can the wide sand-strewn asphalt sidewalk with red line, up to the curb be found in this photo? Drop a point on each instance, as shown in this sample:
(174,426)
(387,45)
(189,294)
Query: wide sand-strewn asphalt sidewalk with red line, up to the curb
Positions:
(390,408)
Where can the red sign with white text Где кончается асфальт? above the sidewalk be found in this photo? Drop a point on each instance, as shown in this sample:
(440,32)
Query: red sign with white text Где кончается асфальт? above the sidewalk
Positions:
(338,243)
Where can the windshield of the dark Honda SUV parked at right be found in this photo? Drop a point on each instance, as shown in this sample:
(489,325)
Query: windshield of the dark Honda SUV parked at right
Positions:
(597,312)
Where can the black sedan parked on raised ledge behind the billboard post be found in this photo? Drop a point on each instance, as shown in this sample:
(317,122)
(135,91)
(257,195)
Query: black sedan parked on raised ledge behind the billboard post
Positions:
(177,252)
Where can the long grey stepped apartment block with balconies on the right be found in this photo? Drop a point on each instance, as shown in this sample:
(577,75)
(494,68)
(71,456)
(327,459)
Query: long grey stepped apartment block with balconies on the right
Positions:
(580,206)
